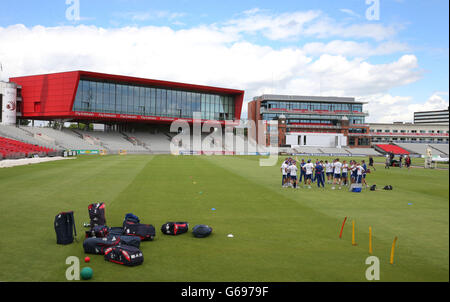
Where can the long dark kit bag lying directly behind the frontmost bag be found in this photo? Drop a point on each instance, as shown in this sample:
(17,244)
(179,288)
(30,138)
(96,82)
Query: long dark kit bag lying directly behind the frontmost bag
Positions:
(98,246)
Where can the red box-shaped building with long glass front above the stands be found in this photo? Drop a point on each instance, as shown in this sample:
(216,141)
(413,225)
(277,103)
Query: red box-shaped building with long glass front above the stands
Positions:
(99,97)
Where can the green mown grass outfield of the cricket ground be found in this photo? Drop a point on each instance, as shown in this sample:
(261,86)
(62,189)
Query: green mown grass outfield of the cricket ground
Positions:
(280,234)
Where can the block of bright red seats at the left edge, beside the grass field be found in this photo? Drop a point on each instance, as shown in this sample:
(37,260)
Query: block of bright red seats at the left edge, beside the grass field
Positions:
(13,149)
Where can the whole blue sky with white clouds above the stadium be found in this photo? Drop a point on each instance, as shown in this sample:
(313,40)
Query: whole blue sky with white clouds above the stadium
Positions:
(400,60)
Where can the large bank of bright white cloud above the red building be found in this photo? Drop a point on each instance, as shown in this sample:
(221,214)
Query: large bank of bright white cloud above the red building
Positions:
(215,54)
